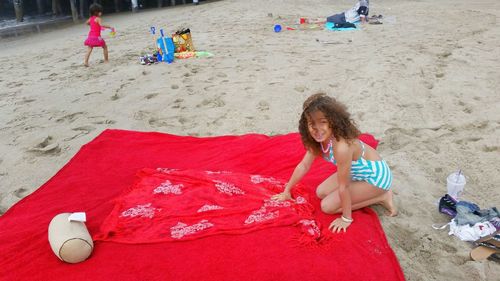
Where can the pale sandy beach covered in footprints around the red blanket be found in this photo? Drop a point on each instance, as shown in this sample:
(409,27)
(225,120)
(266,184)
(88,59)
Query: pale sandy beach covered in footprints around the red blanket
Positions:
(425,82)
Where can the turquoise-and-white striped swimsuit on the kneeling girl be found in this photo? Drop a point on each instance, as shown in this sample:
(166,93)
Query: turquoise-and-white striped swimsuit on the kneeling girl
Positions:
(375,172)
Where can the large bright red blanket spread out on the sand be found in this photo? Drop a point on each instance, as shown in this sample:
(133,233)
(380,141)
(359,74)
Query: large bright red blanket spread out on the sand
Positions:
(104,172)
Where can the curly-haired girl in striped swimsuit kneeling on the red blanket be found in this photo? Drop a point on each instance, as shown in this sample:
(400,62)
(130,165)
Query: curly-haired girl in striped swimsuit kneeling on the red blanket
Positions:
(362,177)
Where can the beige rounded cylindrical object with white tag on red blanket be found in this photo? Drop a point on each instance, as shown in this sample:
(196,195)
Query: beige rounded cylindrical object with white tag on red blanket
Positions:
(69,239)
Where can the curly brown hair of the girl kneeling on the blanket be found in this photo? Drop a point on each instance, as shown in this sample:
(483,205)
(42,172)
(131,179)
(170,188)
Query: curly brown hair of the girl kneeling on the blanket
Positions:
(338,118)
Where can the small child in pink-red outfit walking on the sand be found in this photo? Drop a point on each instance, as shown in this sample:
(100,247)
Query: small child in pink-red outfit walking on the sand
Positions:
(94,38)
